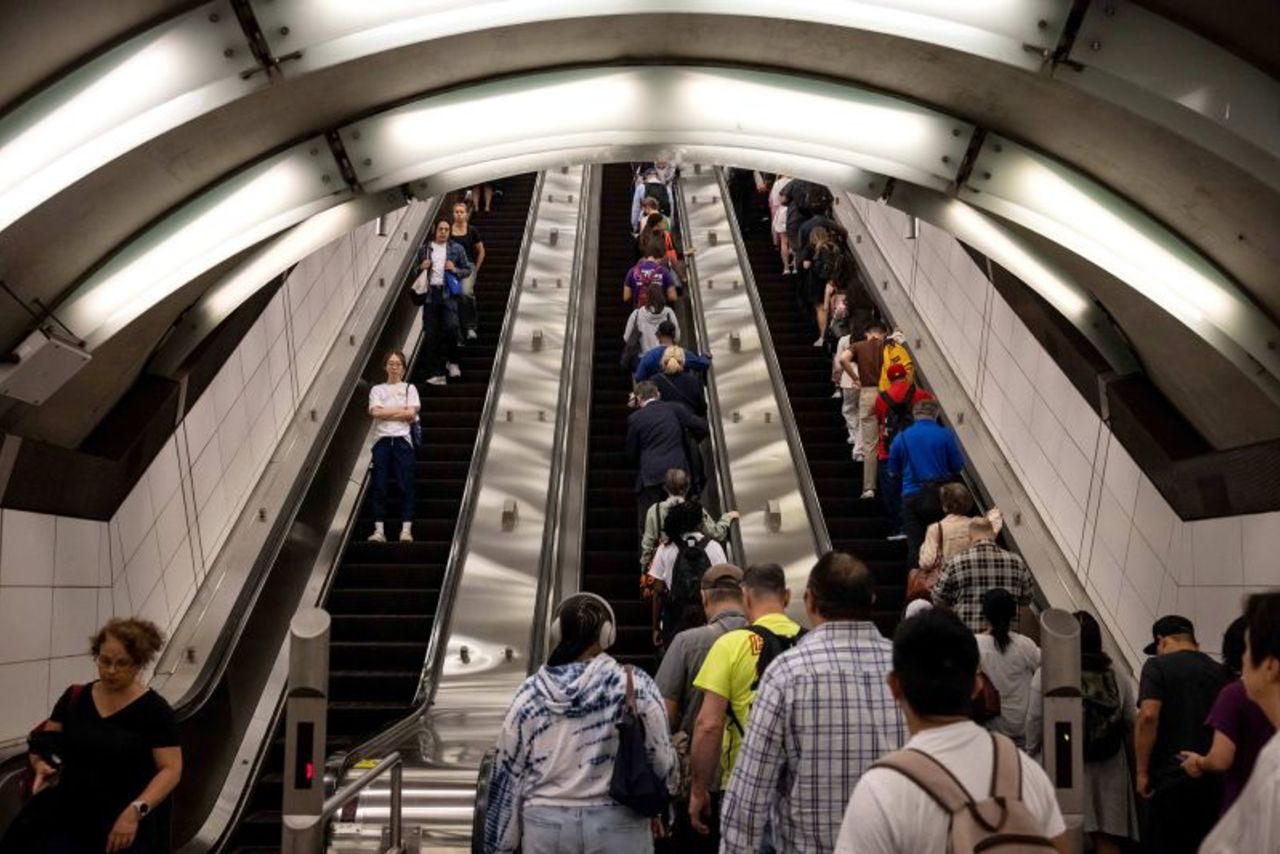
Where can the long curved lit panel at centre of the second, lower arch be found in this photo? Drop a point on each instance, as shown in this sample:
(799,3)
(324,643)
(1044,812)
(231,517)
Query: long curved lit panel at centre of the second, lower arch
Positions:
(662,107)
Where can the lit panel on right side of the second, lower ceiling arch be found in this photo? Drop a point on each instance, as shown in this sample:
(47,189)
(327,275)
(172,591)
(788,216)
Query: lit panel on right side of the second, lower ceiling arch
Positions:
(1098,225)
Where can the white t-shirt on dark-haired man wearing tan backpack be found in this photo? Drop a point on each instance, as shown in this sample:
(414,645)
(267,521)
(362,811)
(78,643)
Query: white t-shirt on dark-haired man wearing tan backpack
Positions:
(890,815)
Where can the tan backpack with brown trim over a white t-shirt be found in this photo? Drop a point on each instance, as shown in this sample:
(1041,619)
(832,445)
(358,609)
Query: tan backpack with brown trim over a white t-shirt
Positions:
(1000,824)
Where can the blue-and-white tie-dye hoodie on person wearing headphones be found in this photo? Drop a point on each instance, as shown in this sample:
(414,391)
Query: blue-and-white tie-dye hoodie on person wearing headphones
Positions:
(560,738)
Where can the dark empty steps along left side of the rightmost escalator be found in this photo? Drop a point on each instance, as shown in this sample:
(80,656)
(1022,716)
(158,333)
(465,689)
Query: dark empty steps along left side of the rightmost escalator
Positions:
(854,526)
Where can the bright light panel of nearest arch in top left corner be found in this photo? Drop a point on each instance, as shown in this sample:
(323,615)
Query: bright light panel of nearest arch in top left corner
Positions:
(132,94)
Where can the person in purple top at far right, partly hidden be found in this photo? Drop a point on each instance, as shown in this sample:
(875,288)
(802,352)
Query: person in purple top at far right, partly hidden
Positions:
(1241,729)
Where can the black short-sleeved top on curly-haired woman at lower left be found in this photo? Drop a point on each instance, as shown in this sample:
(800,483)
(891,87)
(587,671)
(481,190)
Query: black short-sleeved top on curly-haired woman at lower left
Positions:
(108,762)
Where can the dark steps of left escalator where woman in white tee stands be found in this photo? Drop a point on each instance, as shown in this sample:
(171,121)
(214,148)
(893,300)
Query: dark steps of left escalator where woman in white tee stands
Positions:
(383,597)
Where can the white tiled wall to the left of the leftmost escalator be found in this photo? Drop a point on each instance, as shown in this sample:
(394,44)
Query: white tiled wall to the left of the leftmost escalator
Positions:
(62,578)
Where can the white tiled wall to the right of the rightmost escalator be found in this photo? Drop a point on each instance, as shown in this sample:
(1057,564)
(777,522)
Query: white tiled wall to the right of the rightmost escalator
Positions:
(1137,559)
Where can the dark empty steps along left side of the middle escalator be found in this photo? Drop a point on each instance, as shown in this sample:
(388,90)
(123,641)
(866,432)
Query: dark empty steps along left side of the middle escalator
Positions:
(611,551)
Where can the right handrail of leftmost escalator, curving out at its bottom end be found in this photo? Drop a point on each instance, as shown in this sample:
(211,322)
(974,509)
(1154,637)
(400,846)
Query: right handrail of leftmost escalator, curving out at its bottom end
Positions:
(339,765)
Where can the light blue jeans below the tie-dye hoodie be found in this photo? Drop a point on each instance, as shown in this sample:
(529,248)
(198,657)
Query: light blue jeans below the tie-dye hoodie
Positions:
(605,829)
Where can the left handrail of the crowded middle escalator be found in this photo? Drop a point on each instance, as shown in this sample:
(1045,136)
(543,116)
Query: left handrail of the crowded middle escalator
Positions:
(554,533)
